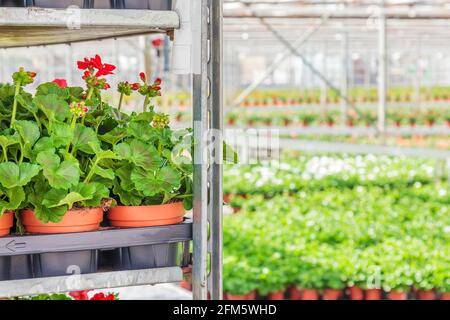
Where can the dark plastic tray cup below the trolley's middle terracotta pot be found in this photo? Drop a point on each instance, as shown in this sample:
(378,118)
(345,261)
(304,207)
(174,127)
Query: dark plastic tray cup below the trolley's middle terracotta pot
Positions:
(64,263)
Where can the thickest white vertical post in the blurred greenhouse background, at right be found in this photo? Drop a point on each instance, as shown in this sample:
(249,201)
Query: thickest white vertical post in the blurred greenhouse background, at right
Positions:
(382,69)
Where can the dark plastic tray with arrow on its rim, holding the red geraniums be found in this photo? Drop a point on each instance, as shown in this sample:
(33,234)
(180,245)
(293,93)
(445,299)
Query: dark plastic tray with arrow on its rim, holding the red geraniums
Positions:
(35,256)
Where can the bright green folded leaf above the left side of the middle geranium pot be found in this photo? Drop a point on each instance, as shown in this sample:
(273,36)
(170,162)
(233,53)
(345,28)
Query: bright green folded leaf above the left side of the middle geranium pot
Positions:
(60,175)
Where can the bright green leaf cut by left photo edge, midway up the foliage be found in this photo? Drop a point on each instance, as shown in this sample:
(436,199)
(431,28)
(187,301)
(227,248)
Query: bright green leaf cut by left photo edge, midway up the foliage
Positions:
(13,175)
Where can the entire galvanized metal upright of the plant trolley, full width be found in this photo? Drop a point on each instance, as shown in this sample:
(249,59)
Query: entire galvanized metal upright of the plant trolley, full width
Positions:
(207,213)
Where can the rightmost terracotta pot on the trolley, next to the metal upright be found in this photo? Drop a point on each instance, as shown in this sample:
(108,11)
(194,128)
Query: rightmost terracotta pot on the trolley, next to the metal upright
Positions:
(146,216)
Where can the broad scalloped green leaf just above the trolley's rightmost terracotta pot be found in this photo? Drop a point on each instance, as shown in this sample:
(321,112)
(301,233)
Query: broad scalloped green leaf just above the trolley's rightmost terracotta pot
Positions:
(165,180)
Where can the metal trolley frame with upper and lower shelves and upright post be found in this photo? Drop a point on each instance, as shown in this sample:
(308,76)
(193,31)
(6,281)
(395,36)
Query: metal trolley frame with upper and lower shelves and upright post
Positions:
(21,27)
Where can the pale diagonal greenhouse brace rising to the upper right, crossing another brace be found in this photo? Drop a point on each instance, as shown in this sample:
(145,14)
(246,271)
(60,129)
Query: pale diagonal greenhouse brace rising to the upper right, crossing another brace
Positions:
(280,59)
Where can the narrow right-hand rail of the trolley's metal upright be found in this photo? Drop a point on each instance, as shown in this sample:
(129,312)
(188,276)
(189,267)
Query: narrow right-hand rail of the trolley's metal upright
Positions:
(215,106)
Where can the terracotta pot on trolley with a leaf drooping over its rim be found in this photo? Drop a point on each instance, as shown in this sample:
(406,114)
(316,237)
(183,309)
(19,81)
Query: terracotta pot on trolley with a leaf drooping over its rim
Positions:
(75,220)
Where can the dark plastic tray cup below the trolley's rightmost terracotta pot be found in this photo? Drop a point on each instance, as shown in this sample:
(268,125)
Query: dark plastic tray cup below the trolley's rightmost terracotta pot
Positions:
(149,256)
